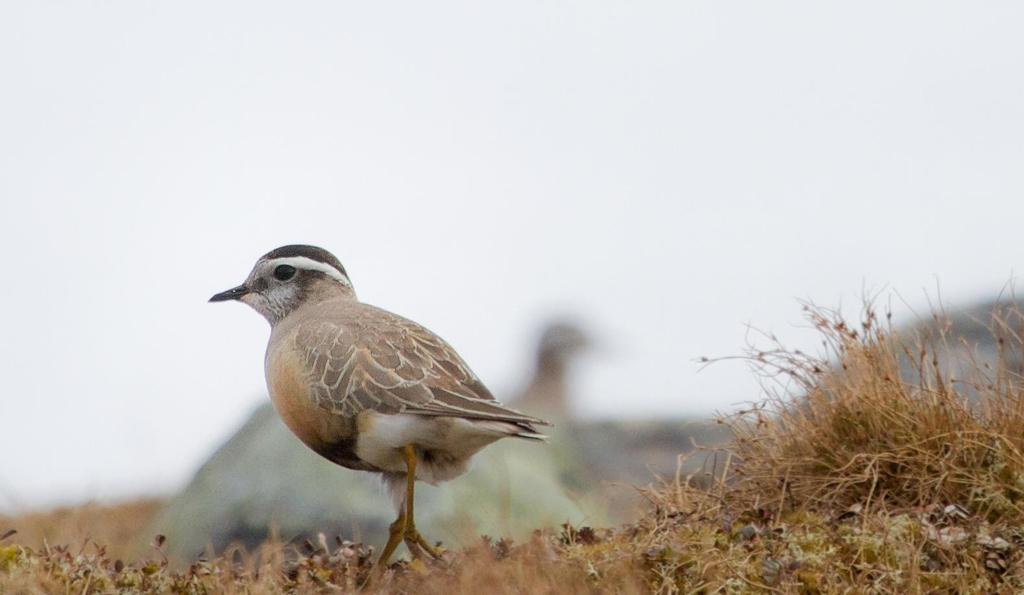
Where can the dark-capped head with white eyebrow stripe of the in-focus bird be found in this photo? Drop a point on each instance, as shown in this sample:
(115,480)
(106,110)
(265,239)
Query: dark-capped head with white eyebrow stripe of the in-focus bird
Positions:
(287,278)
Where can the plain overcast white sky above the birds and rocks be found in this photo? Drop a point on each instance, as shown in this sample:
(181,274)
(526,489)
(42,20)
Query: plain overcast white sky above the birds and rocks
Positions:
(665,172)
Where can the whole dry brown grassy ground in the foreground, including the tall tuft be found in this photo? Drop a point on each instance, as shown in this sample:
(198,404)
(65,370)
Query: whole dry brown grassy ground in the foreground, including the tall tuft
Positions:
(871,470)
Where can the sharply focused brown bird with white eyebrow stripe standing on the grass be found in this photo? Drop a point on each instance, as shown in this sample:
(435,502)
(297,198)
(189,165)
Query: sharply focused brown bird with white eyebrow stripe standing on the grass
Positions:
(369,390)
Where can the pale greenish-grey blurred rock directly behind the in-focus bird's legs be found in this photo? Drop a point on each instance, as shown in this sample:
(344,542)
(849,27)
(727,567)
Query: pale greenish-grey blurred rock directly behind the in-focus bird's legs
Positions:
(264,482)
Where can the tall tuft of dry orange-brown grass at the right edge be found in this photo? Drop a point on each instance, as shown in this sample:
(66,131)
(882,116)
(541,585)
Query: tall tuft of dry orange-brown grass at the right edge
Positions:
(879,420)
